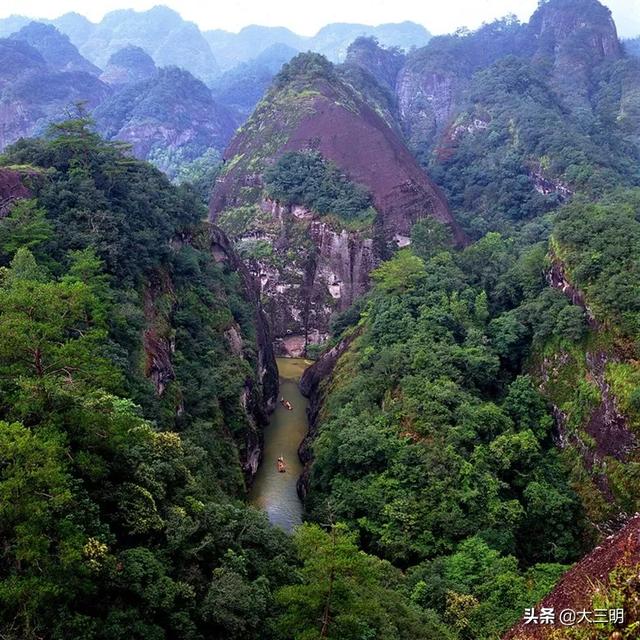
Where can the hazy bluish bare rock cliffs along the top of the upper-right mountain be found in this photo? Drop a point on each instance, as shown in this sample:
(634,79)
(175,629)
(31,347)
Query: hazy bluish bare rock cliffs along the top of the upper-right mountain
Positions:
(569,37)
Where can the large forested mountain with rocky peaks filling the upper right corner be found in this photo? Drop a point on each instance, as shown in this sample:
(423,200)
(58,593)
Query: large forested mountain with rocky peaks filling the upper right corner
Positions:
(477,95)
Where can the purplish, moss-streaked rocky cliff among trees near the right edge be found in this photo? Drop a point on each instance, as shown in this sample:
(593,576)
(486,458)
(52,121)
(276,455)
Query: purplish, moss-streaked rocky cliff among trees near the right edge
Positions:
(591,424)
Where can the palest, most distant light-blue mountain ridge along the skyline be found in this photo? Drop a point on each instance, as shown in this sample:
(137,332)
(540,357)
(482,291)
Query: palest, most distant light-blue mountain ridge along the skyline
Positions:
(171,40)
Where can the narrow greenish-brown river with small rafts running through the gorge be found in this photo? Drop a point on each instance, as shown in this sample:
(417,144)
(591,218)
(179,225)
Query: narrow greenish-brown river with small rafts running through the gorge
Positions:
(272,491)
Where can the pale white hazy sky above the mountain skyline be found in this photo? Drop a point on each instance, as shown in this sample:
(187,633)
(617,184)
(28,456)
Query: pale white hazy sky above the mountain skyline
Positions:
(439,16)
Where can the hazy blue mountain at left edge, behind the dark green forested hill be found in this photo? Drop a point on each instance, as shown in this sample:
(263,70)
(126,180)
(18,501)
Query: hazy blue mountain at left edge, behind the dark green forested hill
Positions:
(33,94)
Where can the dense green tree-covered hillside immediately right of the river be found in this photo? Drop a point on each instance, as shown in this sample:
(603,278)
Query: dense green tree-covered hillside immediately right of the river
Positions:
(435,450)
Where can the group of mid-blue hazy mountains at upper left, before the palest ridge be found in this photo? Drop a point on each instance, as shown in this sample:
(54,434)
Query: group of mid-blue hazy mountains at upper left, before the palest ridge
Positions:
(167,115)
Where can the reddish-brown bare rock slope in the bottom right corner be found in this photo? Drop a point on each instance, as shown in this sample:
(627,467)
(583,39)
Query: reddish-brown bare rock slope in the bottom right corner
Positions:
(582,583)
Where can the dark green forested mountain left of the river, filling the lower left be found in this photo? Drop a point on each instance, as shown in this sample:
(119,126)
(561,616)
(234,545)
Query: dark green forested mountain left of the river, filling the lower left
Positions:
(169,378)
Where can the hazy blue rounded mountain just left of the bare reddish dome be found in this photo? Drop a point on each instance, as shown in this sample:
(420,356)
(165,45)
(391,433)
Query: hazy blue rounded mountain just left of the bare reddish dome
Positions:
(170,119)
